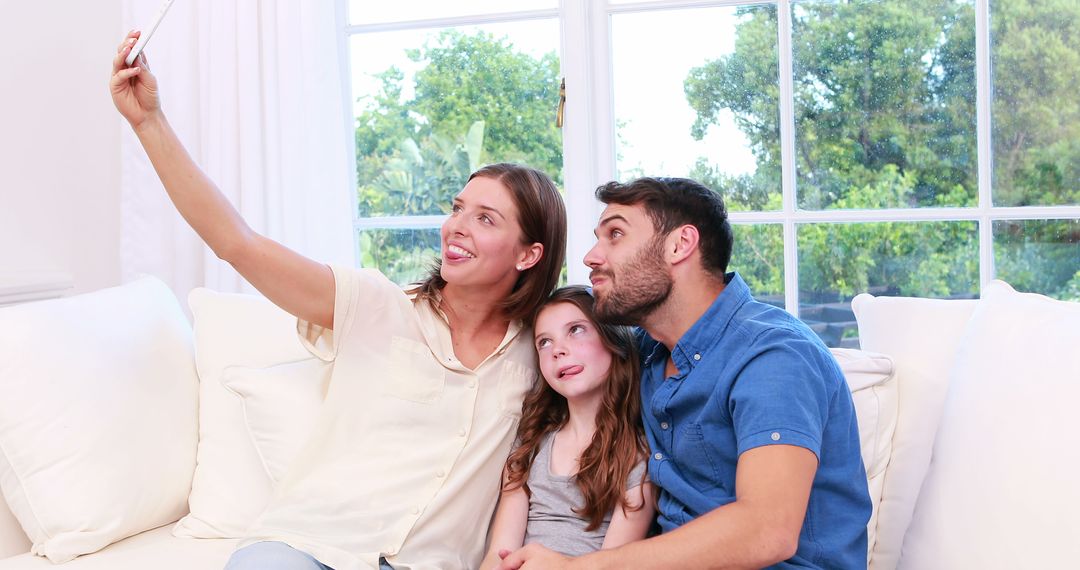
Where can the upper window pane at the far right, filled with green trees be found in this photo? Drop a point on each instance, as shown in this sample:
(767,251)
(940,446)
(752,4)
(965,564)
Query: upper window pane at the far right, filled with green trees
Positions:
(1035,55)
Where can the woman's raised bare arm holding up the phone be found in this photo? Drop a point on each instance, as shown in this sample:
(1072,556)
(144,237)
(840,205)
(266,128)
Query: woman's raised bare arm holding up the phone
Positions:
(295,283)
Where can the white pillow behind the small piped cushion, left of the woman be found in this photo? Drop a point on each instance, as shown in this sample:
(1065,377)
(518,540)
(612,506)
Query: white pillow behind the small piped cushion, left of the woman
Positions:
(233,332)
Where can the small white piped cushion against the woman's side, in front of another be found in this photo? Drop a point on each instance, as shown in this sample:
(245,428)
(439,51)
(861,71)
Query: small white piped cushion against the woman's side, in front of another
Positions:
(281,404)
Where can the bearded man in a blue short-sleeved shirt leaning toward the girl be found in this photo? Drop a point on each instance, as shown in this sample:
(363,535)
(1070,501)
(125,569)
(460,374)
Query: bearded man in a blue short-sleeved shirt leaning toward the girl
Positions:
(753,435)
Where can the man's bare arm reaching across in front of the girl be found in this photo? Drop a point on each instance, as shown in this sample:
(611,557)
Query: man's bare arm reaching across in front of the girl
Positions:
(761,528)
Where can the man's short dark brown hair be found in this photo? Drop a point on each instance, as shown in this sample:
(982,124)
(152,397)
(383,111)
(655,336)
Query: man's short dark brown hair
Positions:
(674,202)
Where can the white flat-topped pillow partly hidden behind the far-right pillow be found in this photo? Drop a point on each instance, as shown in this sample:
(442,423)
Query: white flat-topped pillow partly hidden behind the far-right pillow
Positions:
(922,337)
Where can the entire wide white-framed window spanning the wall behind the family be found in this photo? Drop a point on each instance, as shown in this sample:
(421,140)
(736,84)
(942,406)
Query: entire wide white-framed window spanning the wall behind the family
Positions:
(900,147)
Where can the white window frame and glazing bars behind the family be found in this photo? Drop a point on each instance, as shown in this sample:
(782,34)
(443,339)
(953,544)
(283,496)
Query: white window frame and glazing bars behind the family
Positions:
(589,142)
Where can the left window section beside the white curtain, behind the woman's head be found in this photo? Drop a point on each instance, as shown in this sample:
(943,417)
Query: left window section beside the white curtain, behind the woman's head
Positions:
(435,100)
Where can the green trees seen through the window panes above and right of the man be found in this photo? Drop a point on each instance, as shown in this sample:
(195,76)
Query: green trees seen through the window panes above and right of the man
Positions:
(885,113)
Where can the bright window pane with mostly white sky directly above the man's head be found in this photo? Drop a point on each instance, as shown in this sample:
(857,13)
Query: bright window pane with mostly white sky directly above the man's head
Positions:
(696,94)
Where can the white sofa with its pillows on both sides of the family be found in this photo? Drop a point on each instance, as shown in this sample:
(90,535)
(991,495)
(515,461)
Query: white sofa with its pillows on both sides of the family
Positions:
(117,420)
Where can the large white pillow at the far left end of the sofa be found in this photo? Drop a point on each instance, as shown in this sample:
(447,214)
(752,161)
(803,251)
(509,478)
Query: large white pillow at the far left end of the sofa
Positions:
(98,416)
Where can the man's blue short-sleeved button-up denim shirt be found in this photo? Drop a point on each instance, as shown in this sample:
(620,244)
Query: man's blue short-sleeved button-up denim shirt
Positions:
(751,375)
